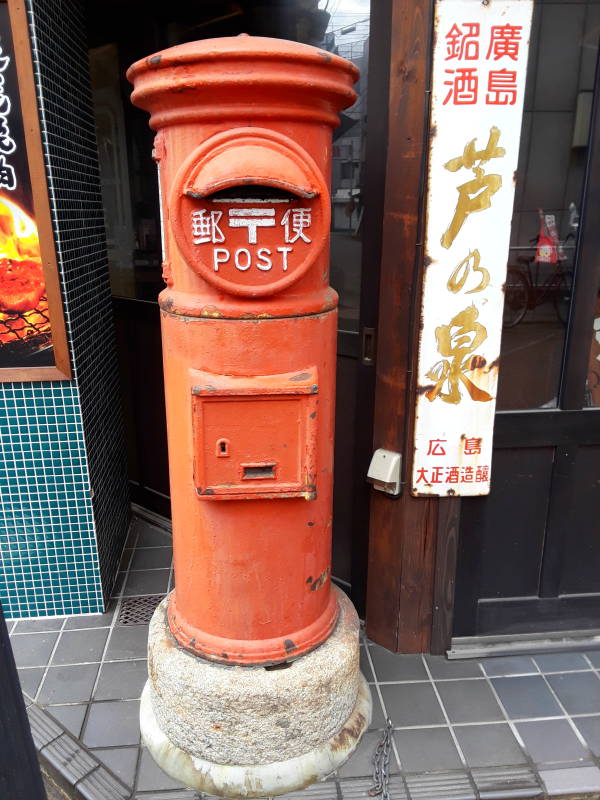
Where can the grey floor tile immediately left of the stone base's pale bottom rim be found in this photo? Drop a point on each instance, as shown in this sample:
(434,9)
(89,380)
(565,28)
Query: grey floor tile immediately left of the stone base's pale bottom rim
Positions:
(112,723)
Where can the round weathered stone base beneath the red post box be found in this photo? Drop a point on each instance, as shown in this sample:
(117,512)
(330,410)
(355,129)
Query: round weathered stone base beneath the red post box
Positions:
(254,731)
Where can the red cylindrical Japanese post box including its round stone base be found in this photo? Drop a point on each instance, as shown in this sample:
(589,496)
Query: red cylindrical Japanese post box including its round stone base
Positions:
(243,148)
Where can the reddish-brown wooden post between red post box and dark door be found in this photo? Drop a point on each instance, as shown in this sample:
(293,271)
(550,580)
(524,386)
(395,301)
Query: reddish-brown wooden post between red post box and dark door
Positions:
(408,573)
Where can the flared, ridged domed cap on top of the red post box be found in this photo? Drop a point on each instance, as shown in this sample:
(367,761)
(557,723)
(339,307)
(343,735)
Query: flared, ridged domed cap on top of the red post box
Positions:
(252,76)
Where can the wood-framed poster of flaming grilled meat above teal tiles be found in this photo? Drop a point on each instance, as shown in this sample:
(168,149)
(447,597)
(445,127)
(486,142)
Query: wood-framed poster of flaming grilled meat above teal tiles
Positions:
(33,343)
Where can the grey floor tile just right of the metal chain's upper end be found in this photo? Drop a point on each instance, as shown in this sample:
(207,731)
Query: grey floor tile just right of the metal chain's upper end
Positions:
(427,750)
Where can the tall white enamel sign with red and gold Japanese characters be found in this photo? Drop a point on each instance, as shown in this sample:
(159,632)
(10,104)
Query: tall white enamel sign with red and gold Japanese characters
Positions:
(479,67)
